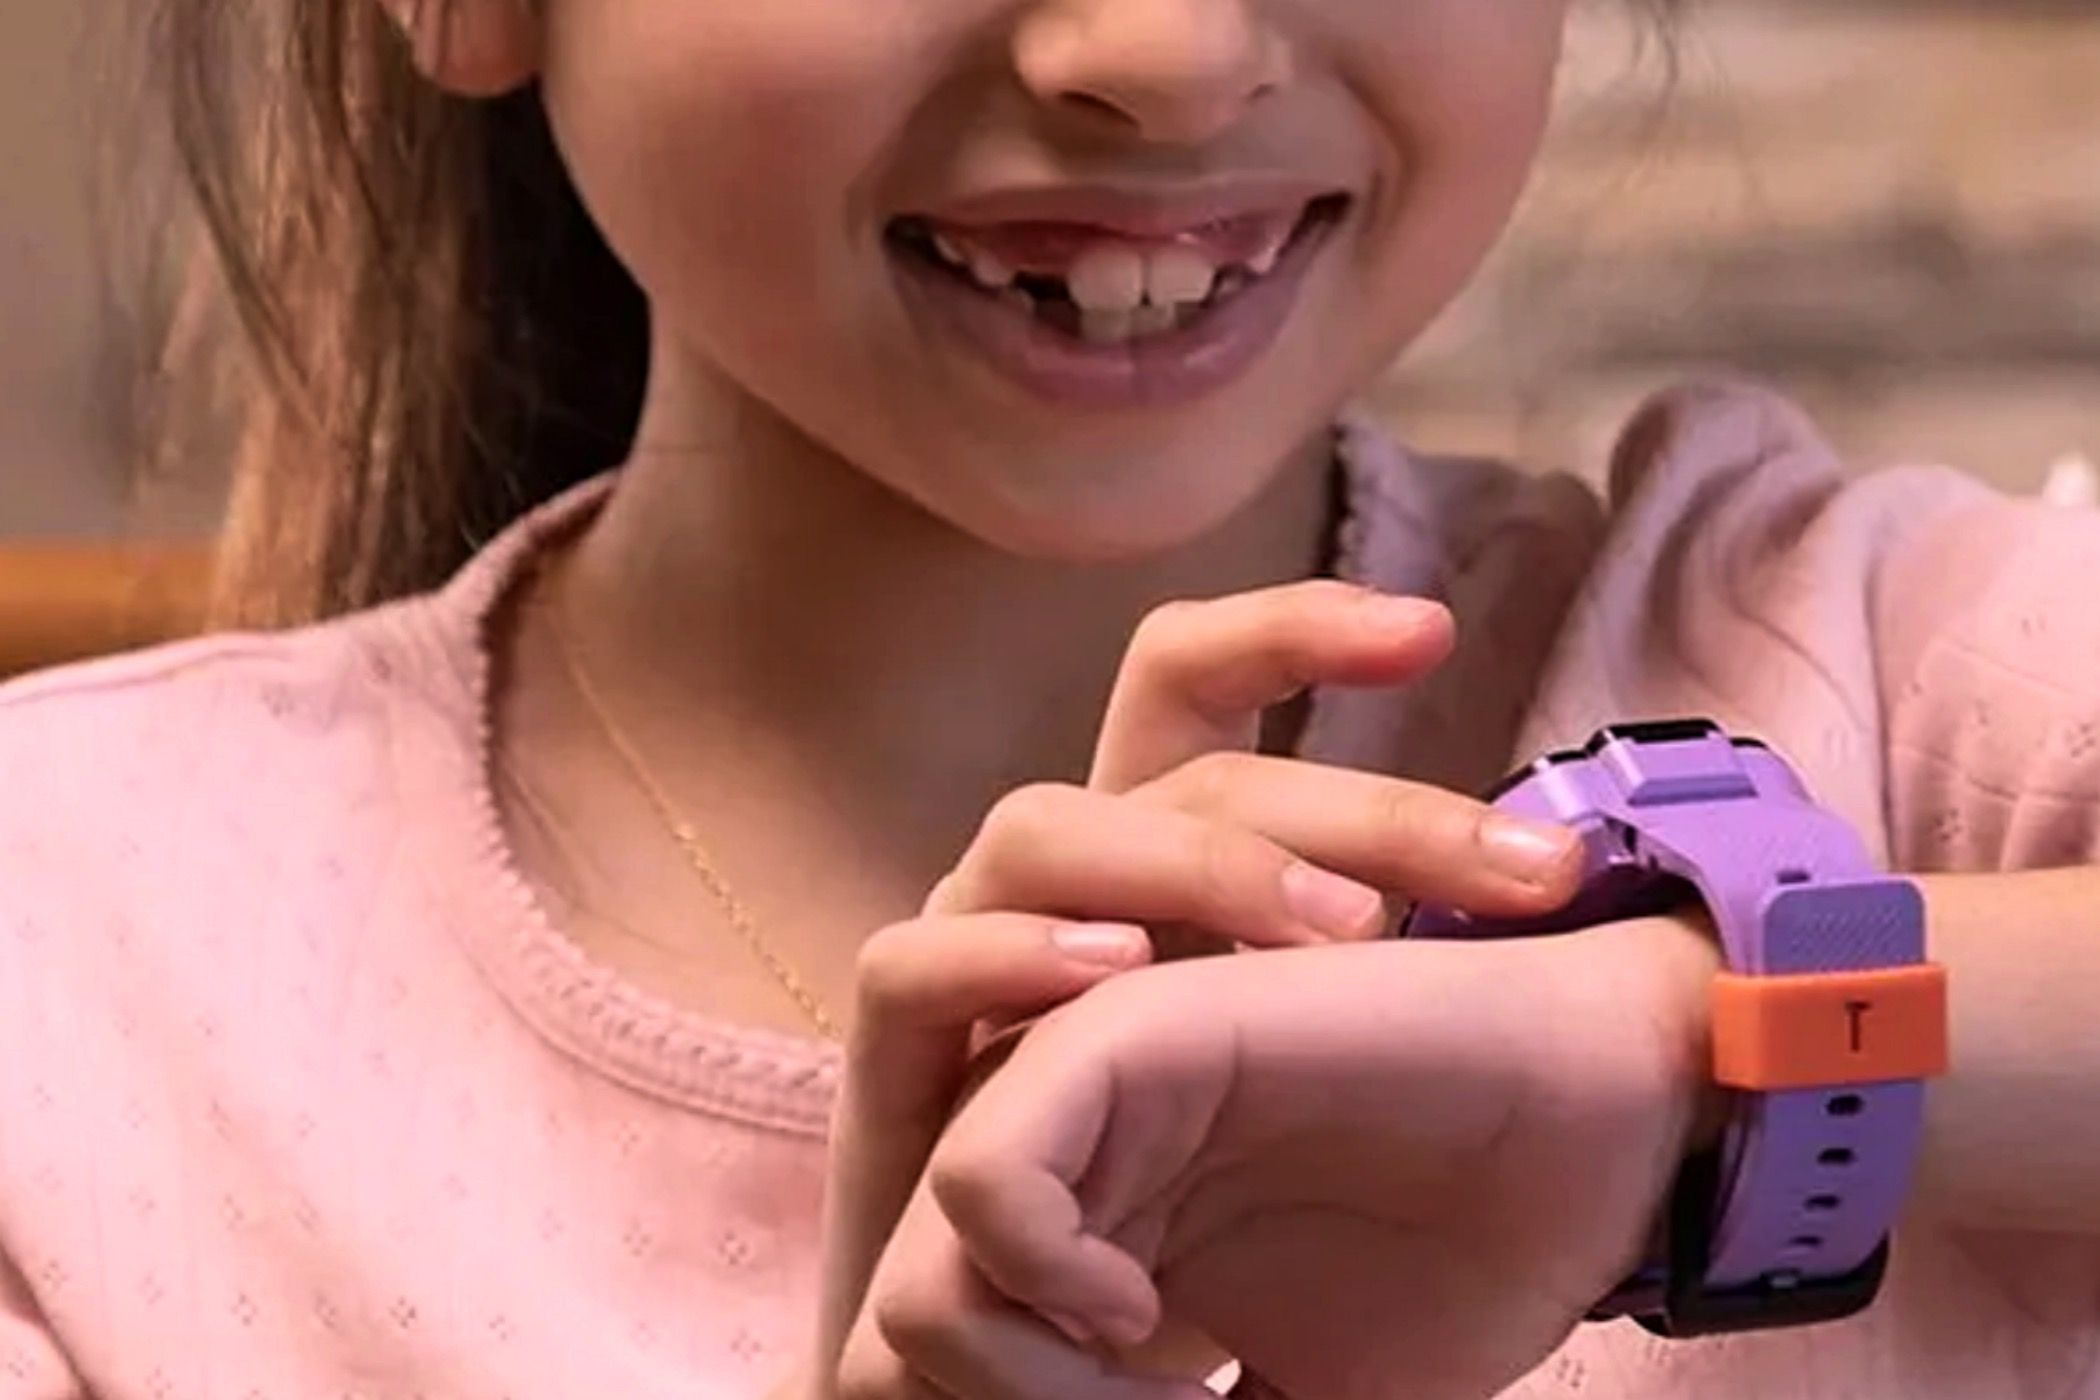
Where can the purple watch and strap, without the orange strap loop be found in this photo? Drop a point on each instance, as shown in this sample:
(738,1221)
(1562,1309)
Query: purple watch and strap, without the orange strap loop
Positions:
(1807,1183)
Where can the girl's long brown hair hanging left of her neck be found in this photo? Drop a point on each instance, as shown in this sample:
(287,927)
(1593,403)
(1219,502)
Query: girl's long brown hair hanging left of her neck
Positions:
(434,333)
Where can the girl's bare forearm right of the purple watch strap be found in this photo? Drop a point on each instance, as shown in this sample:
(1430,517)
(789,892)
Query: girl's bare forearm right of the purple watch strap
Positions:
(2013,1132)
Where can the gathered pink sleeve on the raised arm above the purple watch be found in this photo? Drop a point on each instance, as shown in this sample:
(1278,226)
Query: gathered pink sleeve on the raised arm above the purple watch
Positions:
(1923,648)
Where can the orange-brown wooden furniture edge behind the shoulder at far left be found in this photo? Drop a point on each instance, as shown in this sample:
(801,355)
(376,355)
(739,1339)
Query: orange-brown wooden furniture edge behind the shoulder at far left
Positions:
(66,601)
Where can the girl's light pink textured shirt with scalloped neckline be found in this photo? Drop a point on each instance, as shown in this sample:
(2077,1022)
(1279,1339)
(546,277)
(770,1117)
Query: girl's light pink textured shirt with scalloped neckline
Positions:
(303,1097)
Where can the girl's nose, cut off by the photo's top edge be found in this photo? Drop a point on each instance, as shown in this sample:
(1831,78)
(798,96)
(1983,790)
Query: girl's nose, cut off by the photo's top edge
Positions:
(1164,70)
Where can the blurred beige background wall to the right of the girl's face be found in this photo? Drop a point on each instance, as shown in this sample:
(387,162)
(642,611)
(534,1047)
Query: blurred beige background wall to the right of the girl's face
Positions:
(1887,207)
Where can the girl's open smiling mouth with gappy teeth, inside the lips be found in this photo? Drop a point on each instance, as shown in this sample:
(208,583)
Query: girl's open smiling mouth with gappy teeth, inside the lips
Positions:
(1099,289)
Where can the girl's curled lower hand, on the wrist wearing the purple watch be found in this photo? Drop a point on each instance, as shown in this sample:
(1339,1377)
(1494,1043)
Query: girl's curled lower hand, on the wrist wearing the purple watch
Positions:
(1377,1170)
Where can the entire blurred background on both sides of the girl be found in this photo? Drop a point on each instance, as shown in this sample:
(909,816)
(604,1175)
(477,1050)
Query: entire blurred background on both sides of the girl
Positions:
(1887,207)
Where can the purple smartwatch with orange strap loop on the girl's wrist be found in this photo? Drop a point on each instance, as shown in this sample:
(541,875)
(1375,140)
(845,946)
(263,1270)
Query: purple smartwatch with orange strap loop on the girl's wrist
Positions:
(1828,1017)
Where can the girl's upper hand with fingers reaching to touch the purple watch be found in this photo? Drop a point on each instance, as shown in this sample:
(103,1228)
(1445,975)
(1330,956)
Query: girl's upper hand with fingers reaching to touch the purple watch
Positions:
(1177,830)
